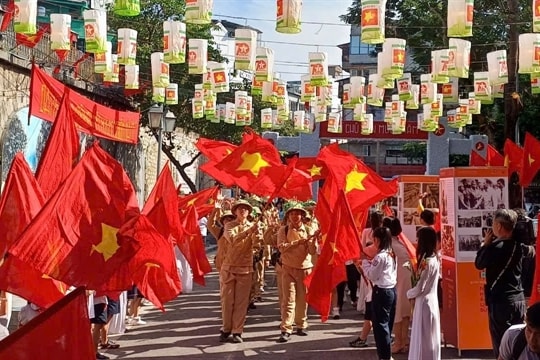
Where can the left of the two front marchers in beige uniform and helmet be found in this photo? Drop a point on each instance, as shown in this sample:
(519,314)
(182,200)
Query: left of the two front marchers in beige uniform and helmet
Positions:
(236,271)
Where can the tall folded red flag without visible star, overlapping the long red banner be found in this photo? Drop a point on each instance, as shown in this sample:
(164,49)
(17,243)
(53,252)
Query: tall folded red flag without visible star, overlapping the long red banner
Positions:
(61,151)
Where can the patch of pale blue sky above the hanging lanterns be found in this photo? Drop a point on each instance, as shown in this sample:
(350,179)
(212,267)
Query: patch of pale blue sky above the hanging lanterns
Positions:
(291,58)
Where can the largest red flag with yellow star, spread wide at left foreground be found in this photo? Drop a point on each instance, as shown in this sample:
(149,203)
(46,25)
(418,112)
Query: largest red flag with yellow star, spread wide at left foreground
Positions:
(73,237)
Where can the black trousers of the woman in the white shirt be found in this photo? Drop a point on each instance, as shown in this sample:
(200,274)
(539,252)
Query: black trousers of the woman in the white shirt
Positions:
(384,311)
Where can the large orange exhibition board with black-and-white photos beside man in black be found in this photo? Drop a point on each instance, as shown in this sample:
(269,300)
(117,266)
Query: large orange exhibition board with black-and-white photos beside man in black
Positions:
(468,198)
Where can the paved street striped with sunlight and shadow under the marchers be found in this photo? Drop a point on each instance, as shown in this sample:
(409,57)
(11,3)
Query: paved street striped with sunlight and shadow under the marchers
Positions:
(190,328)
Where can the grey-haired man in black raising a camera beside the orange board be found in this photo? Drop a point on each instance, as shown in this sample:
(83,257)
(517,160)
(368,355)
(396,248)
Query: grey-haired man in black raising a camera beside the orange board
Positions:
(501,256)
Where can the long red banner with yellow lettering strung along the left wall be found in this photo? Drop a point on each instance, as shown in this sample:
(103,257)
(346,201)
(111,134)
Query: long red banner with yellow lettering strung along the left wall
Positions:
(90,117)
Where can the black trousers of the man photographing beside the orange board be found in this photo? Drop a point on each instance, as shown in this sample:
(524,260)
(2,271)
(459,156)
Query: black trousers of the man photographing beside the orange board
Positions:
(501,317)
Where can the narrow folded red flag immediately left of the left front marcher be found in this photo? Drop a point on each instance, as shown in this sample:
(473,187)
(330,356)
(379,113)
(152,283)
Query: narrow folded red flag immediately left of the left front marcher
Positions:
(192,246)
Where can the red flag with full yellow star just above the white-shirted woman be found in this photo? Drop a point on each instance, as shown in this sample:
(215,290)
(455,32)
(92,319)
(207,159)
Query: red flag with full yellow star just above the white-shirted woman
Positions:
(362,186)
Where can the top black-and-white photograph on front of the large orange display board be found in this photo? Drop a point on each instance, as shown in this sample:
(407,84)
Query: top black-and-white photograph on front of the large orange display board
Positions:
(481,194)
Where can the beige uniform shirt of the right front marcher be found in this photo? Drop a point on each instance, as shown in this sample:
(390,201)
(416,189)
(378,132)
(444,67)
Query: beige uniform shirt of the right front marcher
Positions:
(296,254)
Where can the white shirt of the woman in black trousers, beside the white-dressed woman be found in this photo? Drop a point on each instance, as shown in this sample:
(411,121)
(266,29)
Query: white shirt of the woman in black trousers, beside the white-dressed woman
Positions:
(382,270)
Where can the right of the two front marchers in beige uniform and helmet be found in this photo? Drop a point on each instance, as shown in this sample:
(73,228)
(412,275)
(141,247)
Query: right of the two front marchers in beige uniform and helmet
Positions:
(297,243)
